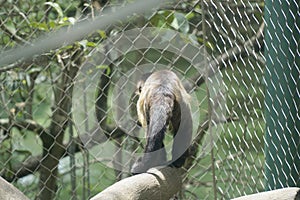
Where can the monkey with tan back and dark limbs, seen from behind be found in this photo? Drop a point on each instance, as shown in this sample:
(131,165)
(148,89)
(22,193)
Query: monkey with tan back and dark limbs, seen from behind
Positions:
(163,103)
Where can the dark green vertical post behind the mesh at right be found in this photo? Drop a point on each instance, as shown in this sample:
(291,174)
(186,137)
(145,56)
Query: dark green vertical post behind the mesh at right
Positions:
(282,96)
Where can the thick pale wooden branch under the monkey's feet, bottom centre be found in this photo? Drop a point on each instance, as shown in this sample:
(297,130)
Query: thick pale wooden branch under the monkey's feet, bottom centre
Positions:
(155,184)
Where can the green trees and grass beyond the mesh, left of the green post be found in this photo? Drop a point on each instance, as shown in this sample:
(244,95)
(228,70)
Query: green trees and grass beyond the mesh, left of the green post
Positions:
(41,143)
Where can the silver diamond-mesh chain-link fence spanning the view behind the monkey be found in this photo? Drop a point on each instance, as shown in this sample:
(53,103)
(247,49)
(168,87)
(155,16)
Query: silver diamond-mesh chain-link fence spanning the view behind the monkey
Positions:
(69,73)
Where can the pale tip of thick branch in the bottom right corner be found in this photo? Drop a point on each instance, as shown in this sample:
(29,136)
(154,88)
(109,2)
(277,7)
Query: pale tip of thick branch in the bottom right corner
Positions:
(292,193)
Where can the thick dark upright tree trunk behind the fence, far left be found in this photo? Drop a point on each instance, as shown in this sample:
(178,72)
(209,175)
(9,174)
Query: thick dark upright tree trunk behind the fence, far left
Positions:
(53,147)
